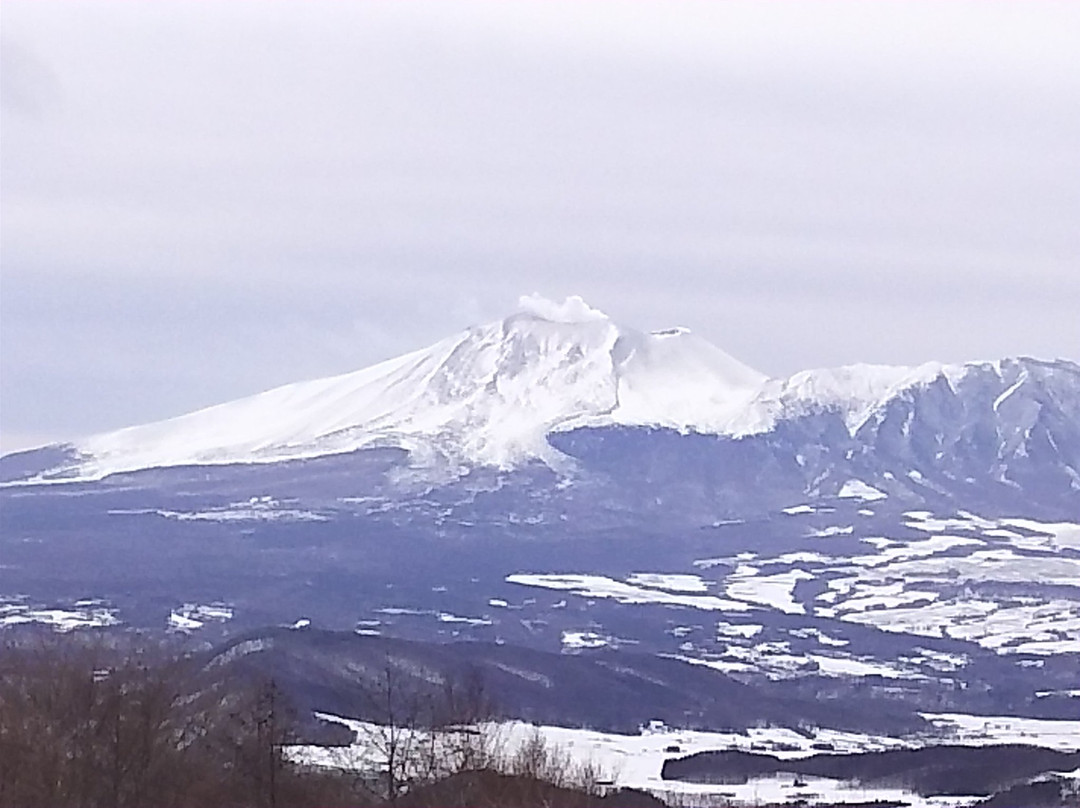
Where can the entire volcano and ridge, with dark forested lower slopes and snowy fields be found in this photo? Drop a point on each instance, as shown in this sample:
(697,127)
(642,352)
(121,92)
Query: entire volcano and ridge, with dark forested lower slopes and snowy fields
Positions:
(560,482)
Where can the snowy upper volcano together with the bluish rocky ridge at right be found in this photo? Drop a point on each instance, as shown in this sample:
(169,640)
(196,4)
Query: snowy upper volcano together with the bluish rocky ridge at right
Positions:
(494,396)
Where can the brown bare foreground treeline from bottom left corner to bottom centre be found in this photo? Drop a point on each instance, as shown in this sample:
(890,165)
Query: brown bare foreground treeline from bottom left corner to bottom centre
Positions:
(86,725)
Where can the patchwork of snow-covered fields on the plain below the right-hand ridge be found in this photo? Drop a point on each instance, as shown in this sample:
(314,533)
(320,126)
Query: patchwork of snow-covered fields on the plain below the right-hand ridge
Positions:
(958,577)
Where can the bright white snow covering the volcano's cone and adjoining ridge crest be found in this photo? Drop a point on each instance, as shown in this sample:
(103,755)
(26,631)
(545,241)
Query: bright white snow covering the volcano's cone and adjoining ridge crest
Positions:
(491,395)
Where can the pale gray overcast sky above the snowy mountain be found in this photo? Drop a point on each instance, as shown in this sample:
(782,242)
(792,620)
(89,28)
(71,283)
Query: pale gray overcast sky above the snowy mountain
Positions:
(205,200)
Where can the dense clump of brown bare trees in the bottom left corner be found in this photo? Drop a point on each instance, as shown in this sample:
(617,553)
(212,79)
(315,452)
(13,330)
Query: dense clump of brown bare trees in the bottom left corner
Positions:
(85,725)
